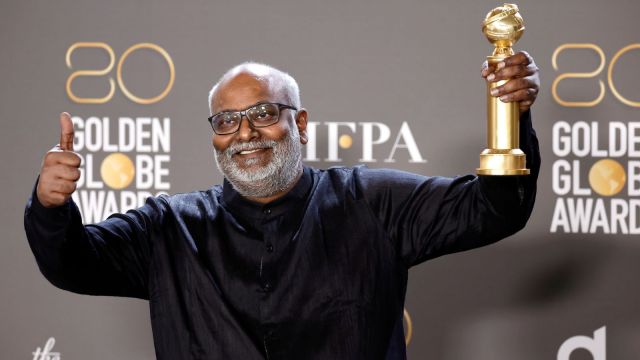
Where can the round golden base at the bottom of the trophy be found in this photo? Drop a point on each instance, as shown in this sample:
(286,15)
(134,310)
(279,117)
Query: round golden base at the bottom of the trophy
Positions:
(507,162)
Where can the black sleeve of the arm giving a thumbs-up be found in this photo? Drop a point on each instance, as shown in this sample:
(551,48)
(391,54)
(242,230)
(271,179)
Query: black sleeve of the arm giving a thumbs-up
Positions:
(108,258)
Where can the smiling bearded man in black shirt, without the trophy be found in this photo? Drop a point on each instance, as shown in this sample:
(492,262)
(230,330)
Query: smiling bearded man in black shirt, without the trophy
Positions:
(282,261)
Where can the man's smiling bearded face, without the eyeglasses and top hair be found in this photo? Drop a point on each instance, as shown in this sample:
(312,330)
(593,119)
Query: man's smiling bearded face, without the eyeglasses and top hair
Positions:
(261,161)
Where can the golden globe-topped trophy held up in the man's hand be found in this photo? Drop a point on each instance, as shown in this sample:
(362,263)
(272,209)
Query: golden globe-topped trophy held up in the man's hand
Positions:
(503,26)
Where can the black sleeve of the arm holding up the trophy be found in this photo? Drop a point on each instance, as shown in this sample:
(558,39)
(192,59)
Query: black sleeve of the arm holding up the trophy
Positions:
(427,217)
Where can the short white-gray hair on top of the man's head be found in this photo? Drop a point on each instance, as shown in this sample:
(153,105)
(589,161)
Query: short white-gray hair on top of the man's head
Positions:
(277,78)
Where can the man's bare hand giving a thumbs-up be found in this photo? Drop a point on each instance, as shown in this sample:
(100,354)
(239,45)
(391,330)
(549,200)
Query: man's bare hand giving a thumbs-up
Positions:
(60,168)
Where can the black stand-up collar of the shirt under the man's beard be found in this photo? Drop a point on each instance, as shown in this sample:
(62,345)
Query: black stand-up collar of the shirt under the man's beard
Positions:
(247,208)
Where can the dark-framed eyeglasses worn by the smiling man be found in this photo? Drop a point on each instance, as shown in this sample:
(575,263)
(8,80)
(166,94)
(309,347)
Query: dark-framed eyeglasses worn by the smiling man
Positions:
(259,116)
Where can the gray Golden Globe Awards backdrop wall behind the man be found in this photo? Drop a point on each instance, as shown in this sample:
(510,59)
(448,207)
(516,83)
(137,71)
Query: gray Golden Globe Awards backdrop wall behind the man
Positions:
(388,84)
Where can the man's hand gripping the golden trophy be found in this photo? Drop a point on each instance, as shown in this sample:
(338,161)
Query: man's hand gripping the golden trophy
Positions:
(523,78)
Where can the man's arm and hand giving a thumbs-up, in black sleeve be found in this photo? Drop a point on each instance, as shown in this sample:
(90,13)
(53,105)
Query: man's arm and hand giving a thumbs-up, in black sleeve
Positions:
(108,258)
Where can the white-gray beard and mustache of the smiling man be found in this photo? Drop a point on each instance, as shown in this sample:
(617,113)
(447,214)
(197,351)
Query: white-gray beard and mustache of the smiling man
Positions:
(276,176)
